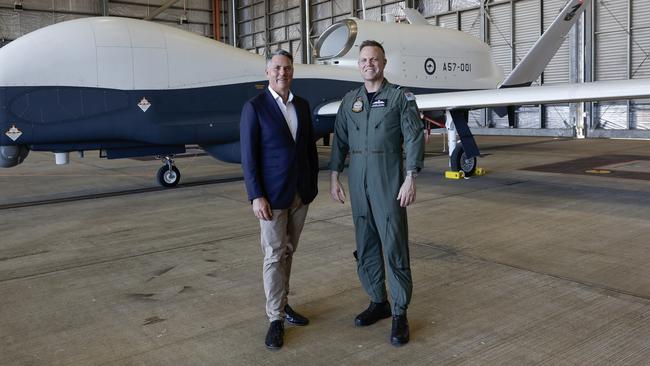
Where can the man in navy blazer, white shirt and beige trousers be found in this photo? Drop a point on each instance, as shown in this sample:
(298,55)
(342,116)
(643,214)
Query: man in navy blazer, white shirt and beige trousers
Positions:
(280,166)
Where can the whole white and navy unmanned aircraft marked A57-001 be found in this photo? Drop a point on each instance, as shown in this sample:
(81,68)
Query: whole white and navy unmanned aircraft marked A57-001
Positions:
(132,88)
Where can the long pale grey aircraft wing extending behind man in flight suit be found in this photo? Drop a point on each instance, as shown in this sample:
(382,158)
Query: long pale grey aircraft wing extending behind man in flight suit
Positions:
(547,94)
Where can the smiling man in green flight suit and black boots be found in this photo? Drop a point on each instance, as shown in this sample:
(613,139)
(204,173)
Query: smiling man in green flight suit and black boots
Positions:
(375,124)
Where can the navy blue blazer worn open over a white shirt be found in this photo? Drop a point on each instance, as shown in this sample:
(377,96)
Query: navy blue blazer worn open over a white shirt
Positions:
(275,166)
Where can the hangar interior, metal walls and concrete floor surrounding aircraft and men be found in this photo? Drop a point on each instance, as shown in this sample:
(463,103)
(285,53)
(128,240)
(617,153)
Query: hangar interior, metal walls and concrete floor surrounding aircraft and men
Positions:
(542,261)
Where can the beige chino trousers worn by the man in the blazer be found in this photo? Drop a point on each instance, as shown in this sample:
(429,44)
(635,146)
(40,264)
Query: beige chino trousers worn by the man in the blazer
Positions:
(279,238)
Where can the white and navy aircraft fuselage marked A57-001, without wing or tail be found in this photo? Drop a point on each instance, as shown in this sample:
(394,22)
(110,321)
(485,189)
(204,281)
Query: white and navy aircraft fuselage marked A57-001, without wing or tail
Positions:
(133,88)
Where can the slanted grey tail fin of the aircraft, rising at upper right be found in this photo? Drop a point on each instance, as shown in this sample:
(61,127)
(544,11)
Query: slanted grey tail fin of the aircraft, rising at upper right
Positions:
(535,61)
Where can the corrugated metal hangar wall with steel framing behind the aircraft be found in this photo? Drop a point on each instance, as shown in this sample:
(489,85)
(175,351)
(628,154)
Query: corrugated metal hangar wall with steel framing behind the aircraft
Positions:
(612,43)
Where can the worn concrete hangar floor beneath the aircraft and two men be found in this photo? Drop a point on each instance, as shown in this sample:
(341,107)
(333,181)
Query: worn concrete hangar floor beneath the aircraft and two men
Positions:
(536,263)
